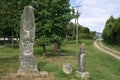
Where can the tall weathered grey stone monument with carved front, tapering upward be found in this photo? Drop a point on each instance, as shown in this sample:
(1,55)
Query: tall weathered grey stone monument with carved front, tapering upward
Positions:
(27,63)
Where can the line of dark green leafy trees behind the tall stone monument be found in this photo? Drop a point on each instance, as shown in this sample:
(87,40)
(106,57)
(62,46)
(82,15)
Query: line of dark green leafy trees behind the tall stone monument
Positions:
(52,18)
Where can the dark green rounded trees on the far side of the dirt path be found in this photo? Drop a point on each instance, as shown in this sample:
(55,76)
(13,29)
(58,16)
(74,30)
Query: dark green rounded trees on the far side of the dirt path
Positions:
(111,33)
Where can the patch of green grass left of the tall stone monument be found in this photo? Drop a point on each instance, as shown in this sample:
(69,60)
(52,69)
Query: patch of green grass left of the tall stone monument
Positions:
(8,60)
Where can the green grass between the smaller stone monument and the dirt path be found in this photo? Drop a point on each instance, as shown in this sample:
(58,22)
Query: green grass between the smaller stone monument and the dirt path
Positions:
(102,66)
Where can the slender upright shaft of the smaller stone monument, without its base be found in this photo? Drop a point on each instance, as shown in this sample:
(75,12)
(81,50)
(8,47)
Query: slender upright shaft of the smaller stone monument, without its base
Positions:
(81,58)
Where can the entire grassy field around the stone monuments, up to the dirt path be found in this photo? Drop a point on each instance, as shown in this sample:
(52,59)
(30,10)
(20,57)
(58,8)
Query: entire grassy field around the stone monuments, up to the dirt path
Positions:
(100,65)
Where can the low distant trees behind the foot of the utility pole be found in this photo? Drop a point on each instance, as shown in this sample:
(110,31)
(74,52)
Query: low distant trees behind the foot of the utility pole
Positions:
(83,32)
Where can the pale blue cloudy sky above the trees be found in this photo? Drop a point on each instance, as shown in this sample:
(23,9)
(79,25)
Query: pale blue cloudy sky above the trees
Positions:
(94,13)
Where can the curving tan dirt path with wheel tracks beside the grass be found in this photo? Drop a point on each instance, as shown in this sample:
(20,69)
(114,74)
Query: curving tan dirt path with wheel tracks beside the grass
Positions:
(107,50)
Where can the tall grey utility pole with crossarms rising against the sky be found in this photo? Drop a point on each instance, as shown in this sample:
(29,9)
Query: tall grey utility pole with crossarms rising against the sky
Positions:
(76,21)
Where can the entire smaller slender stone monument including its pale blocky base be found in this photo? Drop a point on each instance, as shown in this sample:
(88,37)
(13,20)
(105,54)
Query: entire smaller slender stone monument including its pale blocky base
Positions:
(81,64)
